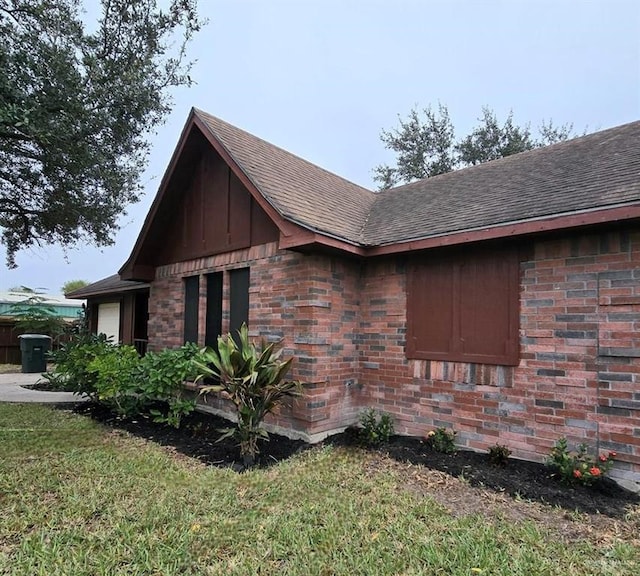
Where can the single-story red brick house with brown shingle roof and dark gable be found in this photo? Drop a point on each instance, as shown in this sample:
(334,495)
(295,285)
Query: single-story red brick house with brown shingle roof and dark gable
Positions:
(501,300)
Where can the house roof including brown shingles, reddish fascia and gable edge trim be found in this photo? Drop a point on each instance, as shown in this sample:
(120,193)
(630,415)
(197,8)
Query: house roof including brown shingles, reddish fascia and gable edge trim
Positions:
(597,174)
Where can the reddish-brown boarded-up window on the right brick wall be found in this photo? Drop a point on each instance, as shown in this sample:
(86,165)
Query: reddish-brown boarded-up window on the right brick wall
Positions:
(464,308)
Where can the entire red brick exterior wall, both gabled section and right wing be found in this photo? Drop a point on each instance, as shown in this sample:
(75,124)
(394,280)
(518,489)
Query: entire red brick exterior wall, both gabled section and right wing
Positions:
(345,323)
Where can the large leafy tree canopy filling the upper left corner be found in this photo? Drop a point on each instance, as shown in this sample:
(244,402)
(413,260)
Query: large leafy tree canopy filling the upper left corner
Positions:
(77,103)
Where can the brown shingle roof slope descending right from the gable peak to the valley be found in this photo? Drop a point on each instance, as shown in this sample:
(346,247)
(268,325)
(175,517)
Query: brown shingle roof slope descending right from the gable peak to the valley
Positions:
(299,190)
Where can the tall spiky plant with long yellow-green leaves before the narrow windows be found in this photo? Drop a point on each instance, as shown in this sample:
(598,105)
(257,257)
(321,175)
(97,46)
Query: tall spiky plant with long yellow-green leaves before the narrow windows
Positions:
(254,380)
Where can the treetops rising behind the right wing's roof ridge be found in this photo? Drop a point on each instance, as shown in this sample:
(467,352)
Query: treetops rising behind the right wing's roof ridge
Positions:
(425,144)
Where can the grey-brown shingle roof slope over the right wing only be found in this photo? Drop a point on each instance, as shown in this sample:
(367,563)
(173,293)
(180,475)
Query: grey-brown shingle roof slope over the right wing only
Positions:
(595,171)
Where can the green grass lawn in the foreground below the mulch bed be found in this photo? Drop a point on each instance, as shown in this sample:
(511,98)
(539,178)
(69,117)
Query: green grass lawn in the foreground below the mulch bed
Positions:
(78,499)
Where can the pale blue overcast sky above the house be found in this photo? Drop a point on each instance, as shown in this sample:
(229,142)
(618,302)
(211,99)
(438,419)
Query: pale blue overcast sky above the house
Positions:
(322,78)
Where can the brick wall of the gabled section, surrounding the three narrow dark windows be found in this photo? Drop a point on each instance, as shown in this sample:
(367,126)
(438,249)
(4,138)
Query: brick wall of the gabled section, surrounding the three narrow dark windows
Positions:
(309,302)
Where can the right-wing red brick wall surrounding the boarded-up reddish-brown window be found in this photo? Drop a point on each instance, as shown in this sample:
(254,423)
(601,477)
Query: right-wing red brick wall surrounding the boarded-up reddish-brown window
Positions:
(579,373)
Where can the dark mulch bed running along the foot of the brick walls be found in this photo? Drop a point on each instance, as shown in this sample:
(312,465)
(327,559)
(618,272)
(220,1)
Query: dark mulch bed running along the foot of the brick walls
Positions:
(526,480)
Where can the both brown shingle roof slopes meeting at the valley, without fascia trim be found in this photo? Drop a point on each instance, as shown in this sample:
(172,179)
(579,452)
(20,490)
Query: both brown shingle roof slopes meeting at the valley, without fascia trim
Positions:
(595,171)
